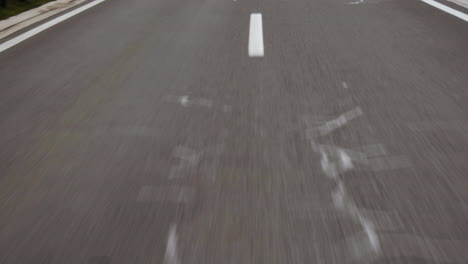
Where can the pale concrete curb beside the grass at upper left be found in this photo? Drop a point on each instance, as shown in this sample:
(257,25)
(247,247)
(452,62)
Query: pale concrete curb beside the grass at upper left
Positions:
(18,22)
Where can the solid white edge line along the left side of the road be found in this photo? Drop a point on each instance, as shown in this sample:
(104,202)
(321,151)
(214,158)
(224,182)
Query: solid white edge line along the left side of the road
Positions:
(39,29)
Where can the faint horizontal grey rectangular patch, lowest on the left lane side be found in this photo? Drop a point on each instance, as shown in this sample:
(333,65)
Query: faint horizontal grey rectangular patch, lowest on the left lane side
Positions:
(176,194)
